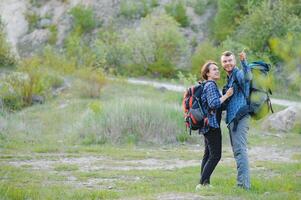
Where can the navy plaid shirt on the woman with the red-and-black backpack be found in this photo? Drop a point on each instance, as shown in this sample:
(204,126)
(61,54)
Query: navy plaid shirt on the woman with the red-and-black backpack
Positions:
(210,100)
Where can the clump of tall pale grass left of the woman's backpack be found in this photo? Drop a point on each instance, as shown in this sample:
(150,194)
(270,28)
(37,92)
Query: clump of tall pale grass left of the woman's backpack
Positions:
(133,120)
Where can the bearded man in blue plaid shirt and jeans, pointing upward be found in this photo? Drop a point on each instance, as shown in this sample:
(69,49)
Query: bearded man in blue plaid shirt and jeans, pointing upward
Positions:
(239,79)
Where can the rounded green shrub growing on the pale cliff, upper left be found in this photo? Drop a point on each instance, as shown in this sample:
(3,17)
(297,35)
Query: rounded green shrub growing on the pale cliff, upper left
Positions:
(84,18)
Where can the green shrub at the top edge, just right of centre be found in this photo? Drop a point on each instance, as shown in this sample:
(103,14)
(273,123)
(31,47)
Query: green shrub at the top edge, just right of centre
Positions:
(177,10)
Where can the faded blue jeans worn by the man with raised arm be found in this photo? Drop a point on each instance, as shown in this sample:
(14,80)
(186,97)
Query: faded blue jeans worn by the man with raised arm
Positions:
(239,147)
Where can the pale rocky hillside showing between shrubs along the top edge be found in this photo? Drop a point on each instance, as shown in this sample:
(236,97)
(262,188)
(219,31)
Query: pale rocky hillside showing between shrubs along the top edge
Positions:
(30,24)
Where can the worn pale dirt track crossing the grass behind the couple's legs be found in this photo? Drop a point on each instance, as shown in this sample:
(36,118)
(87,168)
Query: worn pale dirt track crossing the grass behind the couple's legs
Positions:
(69,166)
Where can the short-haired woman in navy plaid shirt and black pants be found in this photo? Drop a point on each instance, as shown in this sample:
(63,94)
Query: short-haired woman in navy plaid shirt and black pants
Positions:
(211,103)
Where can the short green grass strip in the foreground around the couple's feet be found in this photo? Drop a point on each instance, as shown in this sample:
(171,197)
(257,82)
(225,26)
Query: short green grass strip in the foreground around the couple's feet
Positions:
(146,184)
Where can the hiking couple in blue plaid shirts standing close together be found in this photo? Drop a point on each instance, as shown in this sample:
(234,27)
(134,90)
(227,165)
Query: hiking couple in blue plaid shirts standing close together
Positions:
(213,103)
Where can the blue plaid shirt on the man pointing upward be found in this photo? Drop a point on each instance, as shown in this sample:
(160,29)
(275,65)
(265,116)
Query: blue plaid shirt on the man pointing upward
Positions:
(237,100)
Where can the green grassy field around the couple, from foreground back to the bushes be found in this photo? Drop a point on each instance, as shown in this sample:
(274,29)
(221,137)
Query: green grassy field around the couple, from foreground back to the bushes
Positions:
(44,154)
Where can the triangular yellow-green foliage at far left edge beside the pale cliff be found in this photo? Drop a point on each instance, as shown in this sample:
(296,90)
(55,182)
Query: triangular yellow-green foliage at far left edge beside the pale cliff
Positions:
(6,56)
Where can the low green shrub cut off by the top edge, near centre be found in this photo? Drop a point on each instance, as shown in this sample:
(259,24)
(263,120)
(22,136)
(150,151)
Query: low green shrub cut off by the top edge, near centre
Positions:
(132,9)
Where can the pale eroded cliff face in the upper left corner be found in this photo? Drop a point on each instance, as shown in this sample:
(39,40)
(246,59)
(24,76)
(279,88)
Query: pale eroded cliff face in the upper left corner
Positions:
(25,39)
